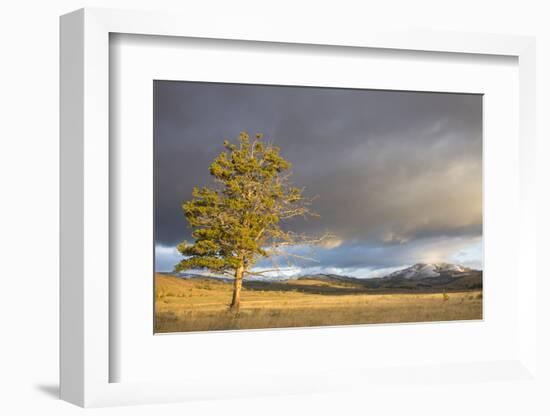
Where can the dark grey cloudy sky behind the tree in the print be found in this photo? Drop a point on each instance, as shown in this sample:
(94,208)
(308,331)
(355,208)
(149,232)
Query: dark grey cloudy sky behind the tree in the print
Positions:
(398,175)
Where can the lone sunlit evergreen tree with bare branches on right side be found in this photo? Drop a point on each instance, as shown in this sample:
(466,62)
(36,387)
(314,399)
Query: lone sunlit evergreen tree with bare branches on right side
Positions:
(237,222)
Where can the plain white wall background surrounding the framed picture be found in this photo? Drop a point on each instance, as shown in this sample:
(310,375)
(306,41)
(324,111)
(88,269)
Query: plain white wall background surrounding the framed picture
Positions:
(29,185)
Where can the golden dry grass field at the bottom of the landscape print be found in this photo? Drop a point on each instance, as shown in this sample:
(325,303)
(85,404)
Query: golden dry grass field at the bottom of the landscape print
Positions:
(183,305)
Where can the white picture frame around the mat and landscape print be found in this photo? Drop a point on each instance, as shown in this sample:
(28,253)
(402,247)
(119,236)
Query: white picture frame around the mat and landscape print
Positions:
(85,210)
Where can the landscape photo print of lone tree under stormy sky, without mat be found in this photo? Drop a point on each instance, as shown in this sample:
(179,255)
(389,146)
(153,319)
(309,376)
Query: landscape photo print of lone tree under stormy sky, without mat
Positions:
(288,206)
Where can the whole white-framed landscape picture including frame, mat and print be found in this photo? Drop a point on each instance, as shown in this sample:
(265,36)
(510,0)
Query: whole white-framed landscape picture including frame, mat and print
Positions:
(281,210)
